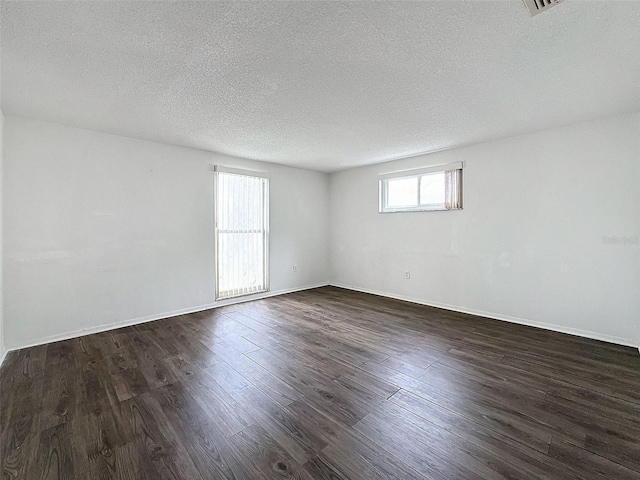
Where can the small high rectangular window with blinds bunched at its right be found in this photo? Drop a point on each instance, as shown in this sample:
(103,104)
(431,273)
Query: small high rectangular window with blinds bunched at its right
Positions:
(424,189)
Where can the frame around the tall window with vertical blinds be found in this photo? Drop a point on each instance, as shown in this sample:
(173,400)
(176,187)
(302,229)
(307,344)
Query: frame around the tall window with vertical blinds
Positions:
(216,215)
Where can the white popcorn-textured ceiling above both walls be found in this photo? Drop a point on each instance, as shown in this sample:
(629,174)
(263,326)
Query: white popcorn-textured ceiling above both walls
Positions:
(321,85)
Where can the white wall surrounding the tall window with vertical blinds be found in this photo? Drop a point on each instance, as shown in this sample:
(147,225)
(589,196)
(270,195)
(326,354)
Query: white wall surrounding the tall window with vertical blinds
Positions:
(101,229)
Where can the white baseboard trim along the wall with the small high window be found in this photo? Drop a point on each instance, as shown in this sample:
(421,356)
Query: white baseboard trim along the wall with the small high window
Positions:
(497,316)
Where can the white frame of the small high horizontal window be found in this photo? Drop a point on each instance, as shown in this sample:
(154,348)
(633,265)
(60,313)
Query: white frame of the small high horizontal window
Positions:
(417,173)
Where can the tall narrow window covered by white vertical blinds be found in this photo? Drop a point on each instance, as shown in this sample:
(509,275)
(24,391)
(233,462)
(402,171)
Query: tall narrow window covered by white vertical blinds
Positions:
(241,232)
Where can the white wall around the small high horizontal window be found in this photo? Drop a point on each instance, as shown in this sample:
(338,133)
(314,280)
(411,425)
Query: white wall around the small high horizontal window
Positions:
(529,245)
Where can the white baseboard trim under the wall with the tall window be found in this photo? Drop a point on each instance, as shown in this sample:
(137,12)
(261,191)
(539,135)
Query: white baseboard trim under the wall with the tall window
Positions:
(159,316)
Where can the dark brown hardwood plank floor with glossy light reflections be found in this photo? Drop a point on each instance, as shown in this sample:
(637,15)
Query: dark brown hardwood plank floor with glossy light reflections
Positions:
(325,384)
